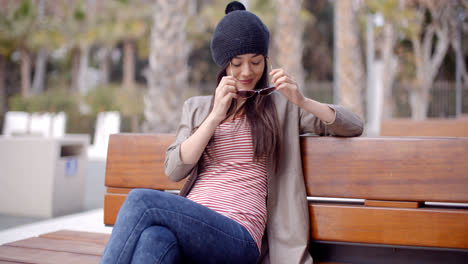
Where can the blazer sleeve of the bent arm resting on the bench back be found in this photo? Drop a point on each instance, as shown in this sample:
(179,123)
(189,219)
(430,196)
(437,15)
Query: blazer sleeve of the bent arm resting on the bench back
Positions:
(346,124)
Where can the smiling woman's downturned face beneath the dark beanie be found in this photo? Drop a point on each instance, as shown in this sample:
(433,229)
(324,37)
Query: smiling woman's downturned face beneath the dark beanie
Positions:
(247,69)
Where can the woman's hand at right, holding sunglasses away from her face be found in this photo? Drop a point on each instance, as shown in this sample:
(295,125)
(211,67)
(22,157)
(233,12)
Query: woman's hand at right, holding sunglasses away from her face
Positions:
(287,86)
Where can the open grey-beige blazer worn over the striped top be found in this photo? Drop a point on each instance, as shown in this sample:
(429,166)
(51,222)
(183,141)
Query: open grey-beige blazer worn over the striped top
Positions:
(287,230)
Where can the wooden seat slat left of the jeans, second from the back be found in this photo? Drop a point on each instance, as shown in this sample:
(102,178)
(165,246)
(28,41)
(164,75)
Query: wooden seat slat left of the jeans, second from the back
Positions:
(71,246)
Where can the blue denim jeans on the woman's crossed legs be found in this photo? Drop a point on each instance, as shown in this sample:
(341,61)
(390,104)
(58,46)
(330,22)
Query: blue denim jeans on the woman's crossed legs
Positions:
(158,227)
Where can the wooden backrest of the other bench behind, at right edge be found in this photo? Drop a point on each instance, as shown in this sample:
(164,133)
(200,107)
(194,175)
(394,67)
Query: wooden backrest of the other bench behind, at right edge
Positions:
(428,127)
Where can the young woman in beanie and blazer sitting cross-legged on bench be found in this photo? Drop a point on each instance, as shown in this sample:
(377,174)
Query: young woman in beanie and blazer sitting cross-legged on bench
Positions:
(244,200)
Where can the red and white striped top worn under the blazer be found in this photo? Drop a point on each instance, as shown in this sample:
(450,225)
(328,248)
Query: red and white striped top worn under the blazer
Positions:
(230,182)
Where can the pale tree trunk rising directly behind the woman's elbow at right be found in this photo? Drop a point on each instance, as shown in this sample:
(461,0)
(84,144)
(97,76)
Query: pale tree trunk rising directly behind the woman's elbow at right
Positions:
(349,73)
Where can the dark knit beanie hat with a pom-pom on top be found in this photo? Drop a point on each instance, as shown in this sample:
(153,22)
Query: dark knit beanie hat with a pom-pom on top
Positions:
(239,32)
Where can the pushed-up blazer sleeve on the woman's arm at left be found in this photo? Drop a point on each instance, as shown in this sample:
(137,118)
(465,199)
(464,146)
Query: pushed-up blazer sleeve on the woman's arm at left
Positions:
(174,168)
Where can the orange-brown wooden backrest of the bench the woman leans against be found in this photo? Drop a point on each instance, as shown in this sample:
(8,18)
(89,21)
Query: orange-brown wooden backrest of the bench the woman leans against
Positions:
(371,200)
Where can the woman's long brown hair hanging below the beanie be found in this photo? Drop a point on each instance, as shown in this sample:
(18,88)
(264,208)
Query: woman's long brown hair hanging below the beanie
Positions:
(262,117)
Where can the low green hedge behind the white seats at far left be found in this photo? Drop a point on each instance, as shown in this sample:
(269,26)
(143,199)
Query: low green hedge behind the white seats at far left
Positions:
(51,101)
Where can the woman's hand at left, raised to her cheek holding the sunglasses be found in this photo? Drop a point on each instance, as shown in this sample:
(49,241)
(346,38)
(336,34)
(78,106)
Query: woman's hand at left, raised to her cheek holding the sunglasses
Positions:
(225,92)
